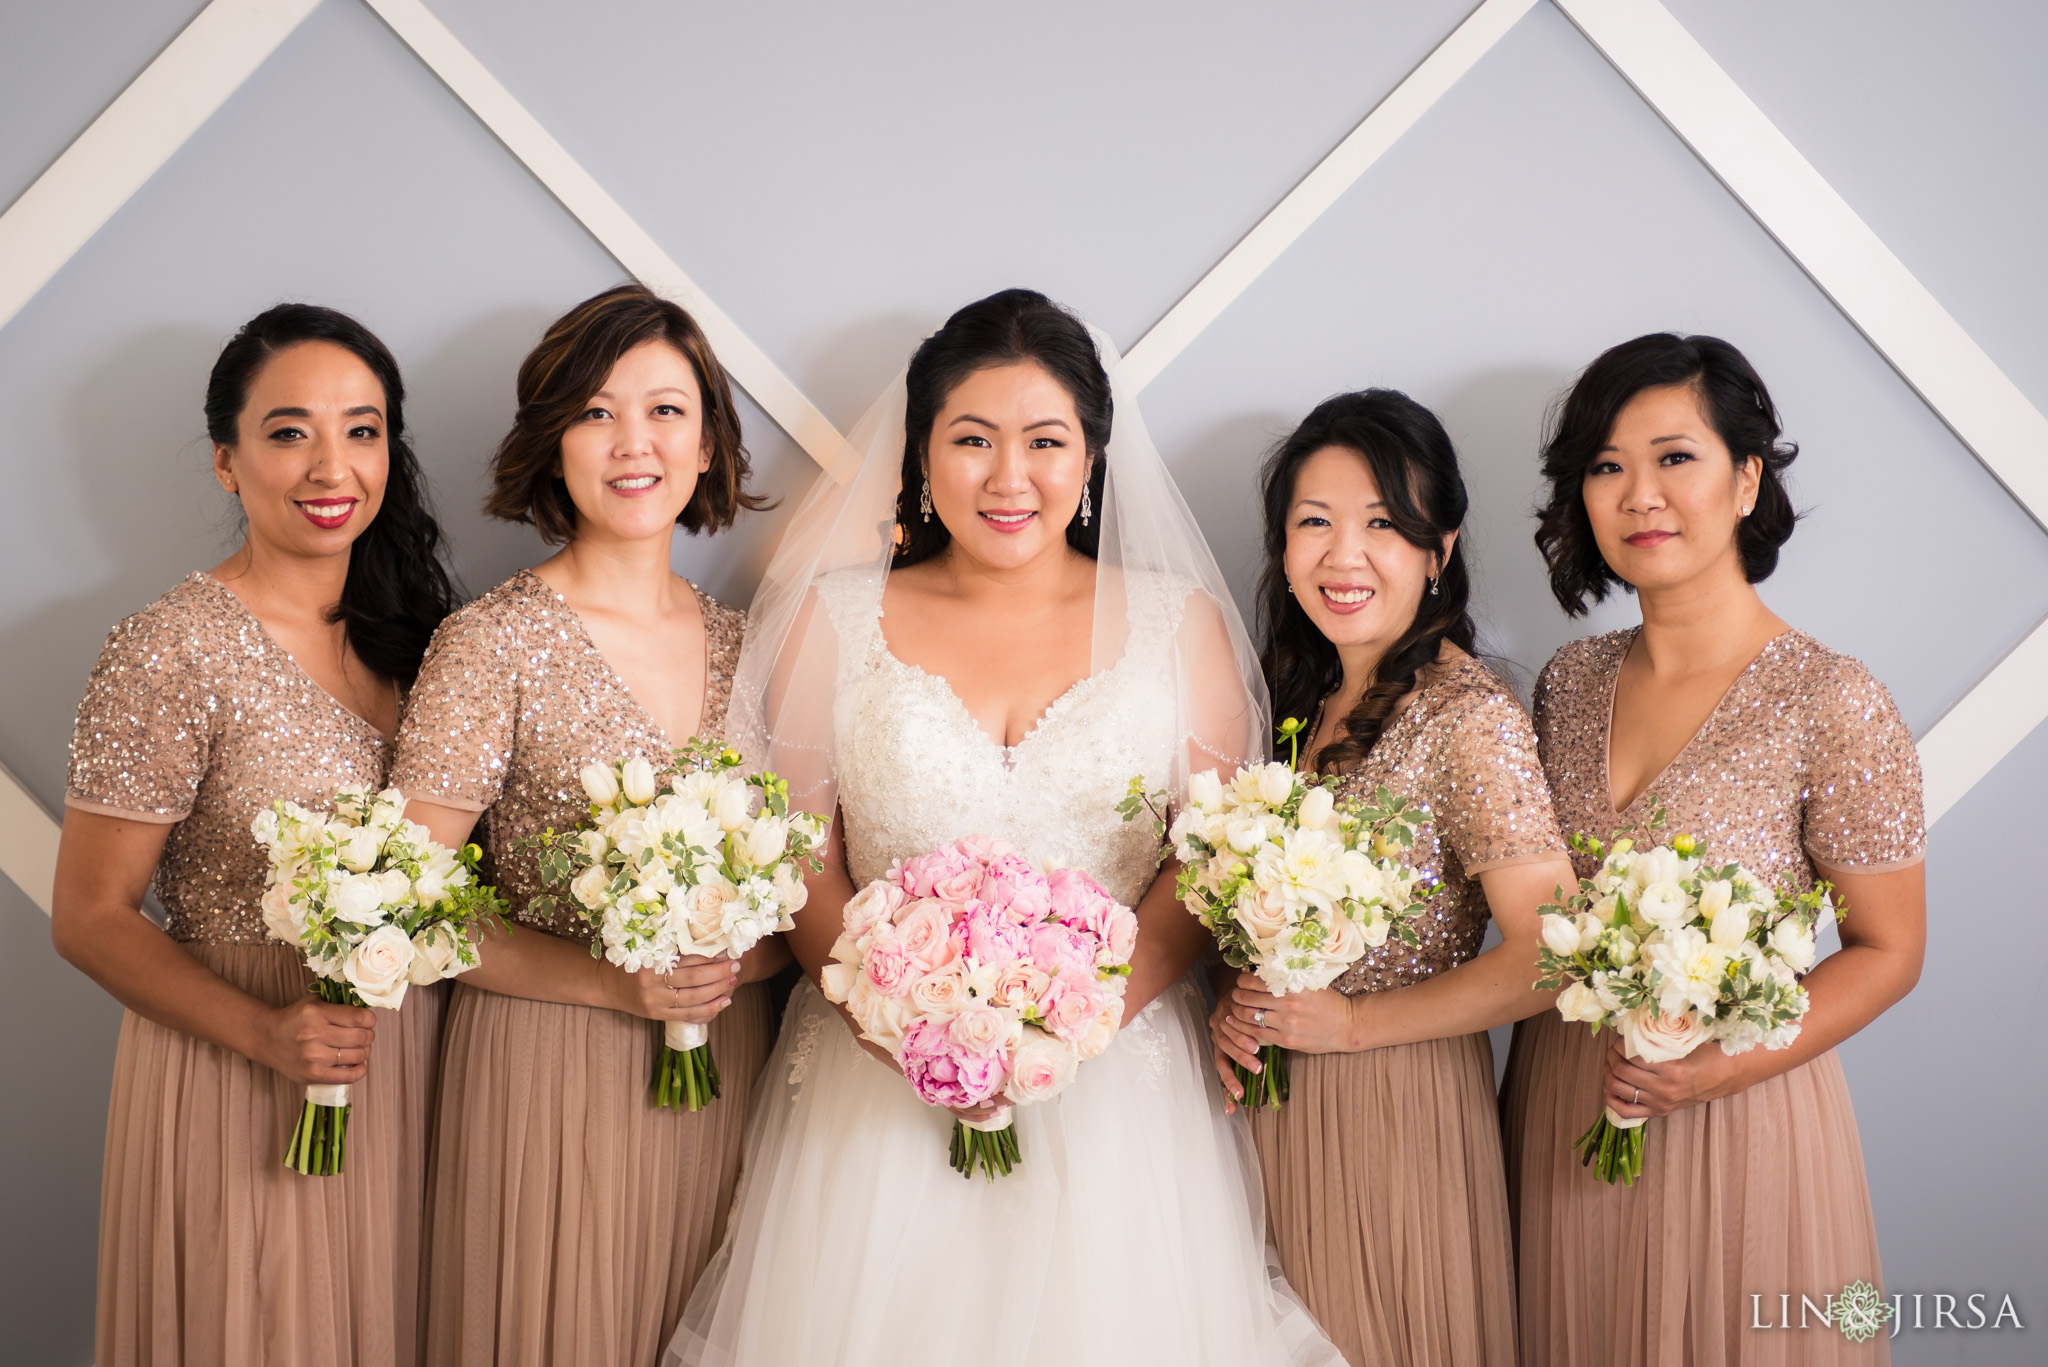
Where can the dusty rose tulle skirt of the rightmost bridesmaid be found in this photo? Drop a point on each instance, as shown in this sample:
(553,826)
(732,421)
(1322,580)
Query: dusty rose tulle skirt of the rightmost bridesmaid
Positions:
(1754,1196)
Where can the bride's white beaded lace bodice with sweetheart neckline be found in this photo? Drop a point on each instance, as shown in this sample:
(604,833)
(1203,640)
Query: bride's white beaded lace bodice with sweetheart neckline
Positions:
(916,772)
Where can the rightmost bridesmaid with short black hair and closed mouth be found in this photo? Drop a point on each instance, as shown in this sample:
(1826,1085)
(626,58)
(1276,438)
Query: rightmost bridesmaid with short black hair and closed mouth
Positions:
(1668,479)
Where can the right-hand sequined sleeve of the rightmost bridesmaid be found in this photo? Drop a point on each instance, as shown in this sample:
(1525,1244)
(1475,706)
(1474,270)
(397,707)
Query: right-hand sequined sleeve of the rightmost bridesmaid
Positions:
(1863,806)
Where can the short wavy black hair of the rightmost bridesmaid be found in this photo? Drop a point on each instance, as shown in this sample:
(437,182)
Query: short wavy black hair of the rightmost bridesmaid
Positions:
(1732,397)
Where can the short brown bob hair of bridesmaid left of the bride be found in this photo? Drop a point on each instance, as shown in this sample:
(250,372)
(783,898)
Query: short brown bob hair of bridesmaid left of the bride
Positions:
(554,390)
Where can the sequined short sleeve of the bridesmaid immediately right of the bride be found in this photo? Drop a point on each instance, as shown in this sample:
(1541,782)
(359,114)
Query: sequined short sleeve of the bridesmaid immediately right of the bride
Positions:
(1498,809)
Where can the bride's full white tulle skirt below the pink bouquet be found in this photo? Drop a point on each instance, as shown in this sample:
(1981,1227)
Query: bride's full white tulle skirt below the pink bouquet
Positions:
(1132,1231)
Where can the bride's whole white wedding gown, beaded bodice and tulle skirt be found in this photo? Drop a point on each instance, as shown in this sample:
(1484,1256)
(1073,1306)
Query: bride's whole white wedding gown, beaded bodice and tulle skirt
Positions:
(1134,1227)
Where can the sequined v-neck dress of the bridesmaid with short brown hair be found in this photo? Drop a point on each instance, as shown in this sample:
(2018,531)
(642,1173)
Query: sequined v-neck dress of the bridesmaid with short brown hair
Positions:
(568,1216)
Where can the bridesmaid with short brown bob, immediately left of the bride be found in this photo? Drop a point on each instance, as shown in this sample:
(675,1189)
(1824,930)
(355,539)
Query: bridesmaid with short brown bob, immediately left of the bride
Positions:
(570,1216)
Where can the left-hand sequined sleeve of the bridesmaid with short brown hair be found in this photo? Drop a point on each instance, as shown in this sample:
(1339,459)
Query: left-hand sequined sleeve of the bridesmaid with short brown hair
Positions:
(456,743)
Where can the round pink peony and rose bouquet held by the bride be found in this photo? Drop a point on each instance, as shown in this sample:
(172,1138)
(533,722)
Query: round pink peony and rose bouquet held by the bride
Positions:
(986,981)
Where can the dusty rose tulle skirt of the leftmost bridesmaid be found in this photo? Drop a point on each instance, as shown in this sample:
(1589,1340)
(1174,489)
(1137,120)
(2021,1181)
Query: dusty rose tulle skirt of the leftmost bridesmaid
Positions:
(212,1251)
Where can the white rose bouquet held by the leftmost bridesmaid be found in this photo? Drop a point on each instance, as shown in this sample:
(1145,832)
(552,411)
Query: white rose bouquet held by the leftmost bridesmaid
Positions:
(376,905)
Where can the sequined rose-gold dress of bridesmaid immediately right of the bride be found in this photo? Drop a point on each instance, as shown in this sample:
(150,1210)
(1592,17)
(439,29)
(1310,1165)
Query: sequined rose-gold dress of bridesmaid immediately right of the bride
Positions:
(1383,1171)
